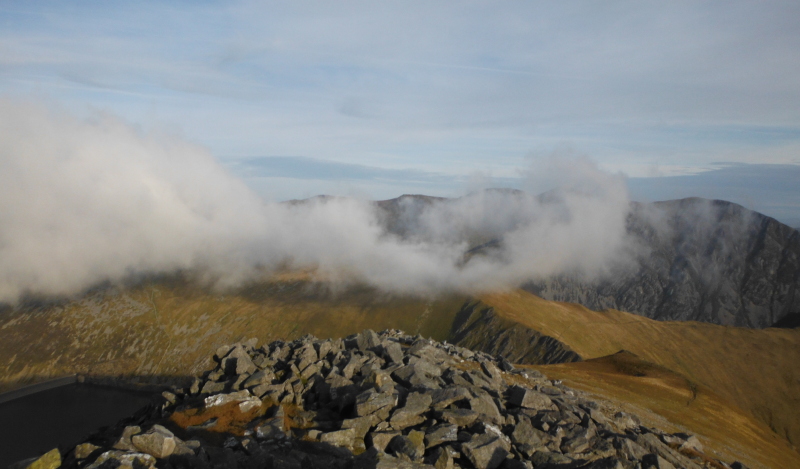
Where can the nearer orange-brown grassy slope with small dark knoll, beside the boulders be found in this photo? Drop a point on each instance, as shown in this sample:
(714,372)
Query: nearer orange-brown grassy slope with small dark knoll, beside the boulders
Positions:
(667,400)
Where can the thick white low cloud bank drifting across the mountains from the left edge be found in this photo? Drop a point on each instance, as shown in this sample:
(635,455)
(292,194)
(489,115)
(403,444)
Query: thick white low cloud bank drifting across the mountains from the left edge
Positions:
(82,202)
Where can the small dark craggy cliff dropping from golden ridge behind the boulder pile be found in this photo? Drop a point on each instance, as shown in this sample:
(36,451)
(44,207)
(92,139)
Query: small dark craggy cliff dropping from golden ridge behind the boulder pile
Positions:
(478,327)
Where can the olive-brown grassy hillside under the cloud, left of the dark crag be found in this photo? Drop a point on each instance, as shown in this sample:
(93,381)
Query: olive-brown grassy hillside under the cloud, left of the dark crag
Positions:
(170,328)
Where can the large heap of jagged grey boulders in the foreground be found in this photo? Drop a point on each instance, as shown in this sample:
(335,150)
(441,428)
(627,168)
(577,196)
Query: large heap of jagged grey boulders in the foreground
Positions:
(379,400)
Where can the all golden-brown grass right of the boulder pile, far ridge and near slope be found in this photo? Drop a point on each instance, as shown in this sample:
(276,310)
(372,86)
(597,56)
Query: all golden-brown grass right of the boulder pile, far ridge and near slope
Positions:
(754,370)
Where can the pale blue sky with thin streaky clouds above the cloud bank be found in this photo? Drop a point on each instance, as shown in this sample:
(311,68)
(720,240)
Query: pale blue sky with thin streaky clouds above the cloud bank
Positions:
(378,99)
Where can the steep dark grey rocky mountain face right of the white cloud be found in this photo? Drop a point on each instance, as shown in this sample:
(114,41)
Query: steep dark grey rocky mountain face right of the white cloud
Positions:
(697,260)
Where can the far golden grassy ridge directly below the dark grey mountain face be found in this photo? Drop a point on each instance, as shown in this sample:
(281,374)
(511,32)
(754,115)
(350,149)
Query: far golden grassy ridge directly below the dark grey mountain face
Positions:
(754,369)
